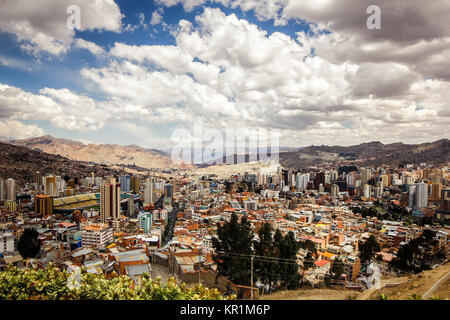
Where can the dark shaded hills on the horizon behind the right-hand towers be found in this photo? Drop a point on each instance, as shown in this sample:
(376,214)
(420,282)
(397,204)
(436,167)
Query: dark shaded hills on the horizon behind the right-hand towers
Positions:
(367,154)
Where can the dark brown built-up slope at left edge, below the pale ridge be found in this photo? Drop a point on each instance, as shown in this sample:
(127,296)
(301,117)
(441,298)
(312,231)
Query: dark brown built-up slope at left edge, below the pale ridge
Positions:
(21,163)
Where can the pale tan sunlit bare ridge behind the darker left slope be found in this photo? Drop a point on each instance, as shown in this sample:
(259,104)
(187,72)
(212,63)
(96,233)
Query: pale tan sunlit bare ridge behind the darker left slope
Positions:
(111,154)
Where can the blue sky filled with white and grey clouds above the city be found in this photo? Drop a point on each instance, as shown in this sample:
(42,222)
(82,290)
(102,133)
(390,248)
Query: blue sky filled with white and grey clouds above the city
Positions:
(135,71)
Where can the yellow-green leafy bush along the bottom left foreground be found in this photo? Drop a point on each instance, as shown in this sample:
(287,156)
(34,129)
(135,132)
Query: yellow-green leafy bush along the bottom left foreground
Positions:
(51,284)
